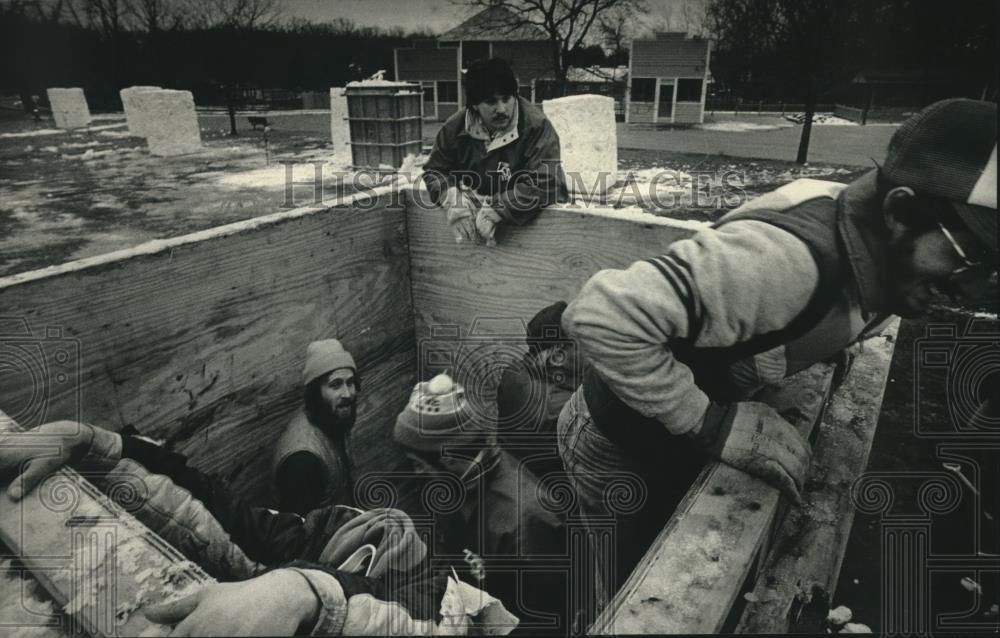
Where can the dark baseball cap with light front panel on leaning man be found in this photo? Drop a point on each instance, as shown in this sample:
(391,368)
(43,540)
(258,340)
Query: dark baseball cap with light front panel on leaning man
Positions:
(949,150)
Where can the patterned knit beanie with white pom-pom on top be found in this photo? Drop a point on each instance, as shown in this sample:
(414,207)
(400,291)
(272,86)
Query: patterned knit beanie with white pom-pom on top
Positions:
(436,414)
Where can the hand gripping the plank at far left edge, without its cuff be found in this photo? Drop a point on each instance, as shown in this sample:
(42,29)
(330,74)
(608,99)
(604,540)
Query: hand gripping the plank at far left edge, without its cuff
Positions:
(66,442)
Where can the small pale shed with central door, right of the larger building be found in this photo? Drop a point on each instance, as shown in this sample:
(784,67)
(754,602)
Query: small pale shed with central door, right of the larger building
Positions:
(668,76)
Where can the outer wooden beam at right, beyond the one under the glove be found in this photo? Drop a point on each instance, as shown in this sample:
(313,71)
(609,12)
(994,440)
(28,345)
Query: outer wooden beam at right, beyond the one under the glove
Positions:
(811,542)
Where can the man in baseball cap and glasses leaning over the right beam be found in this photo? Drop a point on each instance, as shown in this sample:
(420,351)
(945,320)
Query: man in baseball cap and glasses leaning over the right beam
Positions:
(679,344)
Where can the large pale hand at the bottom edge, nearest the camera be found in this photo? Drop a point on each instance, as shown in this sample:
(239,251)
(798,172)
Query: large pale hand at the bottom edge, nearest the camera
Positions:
(277,603)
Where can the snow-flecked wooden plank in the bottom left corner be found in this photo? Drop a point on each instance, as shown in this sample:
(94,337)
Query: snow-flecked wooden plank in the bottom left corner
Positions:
(99,564)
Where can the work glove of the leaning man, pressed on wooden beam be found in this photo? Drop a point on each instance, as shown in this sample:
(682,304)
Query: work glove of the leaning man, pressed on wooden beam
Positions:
(754,438)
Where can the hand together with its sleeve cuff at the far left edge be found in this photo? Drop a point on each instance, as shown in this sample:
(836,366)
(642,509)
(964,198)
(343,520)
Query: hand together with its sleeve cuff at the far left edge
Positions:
(45,450)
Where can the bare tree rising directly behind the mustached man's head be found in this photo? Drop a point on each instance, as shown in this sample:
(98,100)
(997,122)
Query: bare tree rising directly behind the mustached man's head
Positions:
(569,24)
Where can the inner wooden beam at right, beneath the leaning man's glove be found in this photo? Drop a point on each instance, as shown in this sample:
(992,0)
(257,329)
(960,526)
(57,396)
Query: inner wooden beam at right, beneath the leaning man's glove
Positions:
(695,570)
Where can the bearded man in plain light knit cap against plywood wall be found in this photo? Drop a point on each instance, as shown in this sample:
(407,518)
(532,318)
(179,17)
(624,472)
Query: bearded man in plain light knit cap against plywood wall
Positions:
(310,467)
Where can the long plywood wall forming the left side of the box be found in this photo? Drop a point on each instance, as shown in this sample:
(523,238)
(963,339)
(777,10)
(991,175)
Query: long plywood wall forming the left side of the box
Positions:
(200,340)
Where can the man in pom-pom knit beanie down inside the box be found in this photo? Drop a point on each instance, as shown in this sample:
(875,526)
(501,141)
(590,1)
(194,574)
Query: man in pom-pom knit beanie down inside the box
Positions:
(499,517)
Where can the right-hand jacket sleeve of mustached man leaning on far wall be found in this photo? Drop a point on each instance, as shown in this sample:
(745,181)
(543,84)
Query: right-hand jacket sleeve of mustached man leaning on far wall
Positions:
(538,182)
